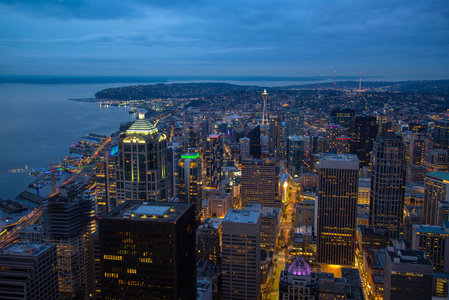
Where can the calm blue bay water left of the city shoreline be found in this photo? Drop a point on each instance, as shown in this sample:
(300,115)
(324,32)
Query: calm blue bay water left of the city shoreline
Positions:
(38,124)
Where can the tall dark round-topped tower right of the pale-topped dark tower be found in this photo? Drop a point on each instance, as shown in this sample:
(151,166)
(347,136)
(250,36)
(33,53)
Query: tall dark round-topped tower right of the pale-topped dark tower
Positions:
(387,184)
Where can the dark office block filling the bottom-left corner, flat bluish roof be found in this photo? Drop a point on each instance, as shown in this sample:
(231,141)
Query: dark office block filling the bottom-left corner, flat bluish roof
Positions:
(28,271)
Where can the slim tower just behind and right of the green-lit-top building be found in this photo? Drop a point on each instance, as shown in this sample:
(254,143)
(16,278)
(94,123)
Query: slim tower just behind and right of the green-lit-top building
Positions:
(213,159)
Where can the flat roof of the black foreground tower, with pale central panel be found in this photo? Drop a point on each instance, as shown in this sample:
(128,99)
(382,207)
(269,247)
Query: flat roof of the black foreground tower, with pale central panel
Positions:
(166,212)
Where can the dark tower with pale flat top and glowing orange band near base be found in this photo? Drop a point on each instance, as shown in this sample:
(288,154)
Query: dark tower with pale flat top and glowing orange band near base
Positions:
(337,208)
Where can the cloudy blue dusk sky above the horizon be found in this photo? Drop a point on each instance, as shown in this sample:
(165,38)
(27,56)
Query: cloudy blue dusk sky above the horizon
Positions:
(224,37)
